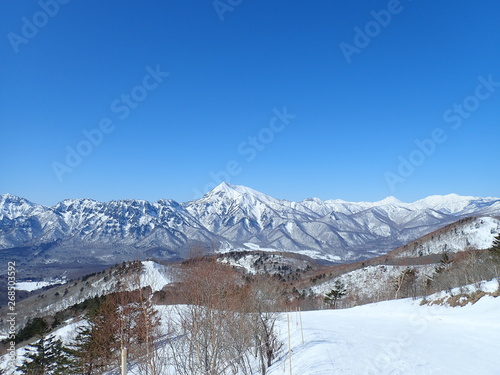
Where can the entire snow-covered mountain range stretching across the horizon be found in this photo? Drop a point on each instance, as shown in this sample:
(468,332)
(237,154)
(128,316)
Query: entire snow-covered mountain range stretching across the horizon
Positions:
(233,217)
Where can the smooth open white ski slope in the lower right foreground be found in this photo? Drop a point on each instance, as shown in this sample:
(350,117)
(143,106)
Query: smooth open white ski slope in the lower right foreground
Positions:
(394,337)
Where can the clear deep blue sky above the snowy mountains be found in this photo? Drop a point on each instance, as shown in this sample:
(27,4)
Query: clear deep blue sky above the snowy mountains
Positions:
(356,120)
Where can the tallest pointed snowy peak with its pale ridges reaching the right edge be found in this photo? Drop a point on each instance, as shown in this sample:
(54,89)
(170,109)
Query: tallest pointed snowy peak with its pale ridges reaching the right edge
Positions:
(345,229)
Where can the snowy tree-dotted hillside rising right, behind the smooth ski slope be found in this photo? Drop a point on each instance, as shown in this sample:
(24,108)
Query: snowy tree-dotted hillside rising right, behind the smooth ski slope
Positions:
(374,280)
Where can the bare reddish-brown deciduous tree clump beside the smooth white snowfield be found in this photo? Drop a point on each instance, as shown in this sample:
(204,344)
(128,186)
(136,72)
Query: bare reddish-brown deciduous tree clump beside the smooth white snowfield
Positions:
(225,323)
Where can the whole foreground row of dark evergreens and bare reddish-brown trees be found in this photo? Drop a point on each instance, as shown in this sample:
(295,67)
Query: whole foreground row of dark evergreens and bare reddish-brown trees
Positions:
(226,325)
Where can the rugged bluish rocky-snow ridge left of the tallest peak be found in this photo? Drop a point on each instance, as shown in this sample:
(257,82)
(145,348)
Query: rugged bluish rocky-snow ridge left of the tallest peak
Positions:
(95,232)
